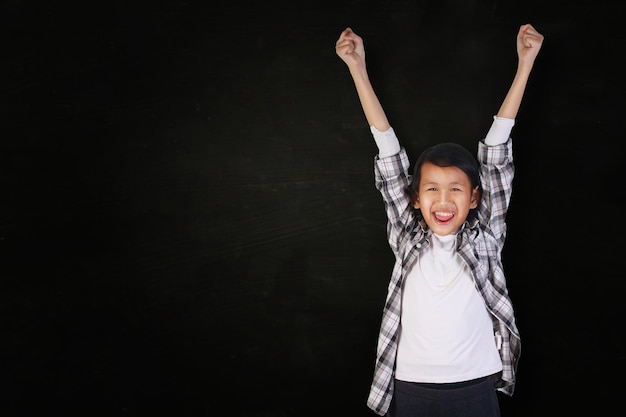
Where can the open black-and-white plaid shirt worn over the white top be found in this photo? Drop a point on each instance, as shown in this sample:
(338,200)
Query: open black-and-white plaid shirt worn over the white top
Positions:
(479,243)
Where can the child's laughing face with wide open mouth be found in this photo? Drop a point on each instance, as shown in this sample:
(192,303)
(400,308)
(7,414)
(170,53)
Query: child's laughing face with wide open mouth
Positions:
(445,197)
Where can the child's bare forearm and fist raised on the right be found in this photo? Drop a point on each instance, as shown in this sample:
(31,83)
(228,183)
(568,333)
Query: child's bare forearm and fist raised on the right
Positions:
(528,45)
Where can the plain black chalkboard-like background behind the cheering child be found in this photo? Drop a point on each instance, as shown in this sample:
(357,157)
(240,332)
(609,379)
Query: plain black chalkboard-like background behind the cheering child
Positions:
(188,222)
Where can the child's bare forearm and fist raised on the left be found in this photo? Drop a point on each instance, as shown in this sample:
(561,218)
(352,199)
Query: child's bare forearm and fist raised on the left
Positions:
(350,49)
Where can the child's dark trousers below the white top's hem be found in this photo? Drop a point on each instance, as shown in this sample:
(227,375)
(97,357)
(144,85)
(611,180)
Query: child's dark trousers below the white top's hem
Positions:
(476,398)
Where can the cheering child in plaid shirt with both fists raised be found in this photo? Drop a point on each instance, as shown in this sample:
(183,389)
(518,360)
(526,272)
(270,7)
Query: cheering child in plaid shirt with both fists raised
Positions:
(448,338)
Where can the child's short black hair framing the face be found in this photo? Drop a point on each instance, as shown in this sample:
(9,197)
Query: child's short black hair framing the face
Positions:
(446,155)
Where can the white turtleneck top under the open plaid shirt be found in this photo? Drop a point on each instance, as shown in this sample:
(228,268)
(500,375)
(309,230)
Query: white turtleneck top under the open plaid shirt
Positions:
(446,332)
